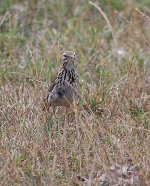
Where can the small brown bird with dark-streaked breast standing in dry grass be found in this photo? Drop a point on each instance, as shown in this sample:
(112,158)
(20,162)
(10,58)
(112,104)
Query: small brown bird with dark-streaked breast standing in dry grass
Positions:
(63,90)
